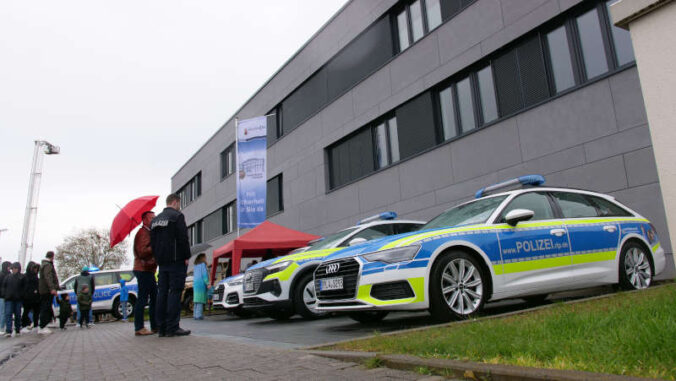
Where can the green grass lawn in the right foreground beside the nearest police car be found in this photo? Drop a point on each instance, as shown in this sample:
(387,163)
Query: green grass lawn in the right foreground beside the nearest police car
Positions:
(627,333)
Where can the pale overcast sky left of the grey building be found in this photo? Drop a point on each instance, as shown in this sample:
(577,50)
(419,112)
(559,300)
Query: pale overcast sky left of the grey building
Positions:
(129,90)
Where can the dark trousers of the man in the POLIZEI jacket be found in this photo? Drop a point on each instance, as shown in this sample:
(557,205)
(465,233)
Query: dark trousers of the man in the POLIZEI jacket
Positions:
(170,287)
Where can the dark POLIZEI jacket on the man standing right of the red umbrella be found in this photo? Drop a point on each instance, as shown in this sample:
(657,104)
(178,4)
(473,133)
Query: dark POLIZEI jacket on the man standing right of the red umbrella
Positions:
(169,237)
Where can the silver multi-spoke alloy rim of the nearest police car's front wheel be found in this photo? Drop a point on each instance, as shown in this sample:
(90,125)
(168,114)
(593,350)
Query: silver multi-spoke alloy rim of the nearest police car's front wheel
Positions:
(462,286)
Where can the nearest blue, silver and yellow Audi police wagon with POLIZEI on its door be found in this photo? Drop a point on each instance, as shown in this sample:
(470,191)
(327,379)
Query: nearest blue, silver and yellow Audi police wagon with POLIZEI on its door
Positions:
(522,243)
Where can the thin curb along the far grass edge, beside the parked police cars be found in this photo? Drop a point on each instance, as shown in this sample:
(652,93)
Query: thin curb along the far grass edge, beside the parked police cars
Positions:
(507,314)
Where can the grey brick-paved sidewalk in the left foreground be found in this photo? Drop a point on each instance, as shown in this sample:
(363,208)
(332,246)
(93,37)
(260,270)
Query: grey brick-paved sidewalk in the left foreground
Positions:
(110,351)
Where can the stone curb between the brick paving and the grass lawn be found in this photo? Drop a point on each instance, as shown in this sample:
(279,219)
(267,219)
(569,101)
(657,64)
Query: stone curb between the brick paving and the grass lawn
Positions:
(472,370)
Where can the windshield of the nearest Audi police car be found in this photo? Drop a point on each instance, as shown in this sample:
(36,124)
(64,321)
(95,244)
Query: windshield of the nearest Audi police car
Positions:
(475,212)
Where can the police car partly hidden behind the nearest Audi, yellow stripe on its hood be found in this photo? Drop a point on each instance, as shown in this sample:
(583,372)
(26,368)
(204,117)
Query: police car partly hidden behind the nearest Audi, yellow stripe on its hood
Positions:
(281,287)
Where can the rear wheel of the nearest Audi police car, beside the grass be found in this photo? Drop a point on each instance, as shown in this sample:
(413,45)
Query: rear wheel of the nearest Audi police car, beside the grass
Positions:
(635,267)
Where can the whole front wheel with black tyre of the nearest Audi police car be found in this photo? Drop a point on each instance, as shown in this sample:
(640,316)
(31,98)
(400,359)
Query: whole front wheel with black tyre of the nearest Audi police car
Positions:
(456,287)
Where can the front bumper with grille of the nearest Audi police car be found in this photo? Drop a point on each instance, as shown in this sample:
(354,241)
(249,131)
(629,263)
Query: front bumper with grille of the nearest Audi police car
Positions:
(376,286)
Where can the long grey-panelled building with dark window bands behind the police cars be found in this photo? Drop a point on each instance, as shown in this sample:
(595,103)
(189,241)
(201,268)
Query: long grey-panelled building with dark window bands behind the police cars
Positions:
(411,106)
